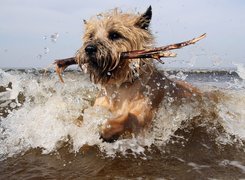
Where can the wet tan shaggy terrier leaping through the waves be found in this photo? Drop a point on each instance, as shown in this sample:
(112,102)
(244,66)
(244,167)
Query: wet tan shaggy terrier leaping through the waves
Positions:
(134,88)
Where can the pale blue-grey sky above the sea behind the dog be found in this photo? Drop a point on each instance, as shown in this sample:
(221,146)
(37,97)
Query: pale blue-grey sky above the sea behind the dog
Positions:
(33,33)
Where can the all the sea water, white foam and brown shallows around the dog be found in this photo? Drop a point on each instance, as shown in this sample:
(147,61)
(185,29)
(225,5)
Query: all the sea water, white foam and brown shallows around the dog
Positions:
(43,134)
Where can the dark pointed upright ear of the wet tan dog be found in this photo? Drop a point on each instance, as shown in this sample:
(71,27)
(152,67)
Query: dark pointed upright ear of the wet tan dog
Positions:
(144,20)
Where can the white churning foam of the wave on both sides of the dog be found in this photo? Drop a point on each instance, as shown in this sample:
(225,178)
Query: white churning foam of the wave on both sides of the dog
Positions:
(49,113)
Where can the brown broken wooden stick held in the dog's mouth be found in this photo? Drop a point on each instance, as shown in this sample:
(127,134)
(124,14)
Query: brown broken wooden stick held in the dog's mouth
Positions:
(155,53)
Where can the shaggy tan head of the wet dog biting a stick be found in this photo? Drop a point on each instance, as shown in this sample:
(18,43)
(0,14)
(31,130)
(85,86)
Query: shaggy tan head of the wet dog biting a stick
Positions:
(106,37)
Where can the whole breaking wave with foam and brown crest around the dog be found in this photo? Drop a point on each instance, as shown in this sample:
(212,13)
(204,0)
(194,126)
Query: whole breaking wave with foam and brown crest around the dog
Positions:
(37,111)
